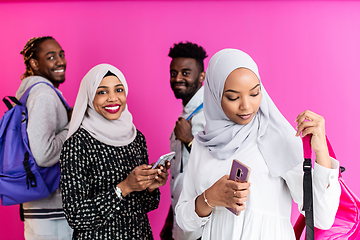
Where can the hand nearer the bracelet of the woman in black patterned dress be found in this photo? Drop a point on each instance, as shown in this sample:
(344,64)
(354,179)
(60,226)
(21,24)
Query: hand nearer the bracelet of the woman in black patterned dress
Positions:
(140,178)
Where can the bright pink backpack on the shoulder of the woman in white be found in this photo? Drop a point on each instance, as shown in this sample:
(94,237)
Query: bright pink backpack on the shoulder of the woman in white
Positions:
(347,219)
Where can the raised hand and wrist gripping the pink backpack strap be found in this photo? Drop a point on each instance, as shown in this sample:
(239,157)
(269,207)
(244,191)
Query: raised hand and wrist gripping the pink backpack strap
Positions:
(310,123)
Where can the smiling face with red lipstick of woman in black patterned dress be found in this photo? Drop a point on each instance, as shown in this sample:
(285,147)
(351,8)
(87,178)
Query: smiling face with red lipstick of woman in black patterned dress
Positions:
(110,98)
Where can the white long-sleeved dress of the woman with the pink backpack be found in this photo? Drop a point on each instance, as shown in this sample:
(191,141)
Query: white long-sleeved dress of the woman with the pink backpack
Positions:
(268,209)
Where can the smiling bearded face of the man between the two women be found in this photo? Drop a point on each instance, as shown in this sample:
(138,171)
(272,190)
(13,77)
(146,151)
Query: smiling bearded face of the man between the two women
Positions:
(185,78)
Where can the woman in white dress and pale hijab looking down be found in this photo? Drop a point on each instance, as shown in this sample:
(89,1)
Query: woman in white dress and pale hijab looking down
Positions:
(243,123)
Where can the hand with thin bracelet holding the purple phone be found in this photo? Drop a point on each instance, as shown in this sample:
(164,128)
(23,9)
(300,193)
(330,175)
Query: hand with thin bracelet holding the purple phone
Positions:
(223,193)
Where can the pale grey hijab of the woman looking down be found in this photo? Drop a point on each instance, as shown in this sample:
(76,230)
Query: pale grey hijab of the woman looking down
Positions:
(275,136)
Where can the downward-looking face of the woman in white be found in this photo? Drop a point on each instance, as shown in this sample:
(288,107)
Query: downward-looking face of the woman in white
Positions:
(241,96)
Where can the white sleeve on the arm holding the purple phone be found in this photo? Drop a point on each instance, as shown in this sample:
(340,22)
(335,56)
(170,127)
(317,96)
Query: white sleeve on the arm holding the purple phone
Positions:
(186,217)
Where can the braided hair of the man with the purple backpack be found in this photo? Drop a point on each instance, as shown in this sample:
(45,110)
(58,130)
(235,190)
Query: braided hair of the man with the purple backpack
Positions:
(30,50)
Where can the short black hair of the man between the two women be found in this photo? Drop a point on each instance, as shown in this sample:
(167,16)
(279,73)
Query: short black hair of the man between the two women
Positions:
(189,50)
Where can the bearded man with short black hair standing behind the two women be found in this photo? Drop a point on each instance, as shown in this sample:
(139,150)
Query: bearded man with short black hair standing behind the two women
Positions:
(186,78)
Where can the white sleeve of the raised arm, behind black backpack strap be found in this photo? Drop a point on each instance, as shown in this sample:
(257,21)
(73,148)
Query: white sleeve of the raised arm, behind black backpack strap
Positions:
(326,190)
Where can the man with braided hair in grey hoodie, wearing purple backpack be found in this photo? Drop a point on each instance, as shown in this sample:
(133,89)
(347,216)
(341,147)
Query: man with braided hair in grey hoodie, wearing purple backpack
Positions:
(47,129)
